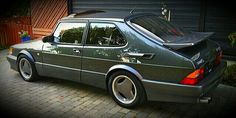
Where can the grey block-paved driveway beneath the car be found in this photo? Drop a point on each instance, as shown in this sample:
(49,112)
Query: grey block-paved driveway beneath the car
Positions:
(49,97)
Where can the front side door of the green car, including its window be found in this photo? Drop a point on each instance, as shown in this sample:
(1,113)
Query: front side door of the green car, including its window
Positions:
(62,58)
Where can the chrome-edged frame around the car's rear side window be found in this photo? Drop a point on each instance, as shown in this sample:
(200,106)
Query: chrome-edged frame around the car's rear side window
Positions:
(105,46)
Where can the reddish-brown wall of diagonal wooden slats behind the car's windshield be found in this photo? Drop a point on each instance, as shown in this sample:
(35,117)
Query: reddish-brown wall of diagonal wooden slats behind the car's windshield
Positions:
(45,14)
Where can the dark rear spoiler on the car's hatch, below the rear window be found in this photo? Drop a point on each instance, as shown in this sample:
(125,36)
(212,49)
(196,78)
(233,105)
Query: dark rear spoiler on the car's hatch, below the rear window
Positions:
(192,40)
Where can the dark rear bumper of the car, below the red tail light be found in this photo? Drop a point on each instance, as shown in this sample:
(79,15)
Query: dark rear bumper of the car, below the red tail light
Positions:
(163,91)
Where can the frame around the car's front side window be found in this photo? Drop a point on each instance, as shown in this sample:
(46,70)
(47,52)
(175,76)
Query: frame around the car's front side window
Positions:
(83,36)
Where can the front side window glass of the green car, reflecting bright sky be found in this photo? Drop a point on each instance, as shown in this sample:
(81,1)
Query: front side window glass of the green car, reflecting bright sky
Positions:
(69,33)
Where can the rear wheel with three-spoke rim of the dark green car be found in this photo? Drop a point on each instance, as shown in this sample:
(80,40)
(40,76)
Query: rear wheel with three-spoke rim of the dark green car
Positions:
(126,90)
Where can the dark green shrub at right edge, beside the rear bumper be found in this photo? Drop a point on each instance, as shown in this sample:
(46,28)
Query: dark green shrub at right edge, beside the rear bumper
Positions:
(229,76)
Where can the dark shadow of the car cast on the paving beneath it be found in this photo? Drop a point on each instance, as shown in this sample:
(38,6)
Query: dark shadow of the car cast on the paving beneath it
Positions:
(222,105)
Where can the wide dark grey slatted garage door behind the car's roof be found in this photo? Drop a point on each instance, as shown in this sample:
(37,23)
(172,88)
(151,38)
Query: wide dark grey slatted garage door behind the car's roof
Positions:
(185,13)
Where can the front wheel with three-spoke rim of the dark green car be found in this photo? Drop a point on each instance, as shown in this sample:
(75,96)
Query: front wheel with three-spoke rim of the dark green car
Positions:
(26,68)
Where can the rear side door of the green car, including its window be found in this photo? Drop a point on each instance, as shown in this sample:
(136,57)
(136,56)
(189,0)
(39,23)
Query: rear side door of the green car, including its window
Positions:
(102,49)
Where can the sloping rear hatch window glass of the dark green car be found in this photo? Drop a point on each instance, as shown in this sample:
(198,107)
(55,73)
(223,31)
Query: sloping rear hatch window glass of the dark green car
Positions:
(159,27)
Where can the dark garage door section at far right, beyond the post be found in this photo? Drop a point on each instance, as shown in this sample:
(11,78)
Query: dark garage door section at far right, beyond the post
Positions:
(221,19)
